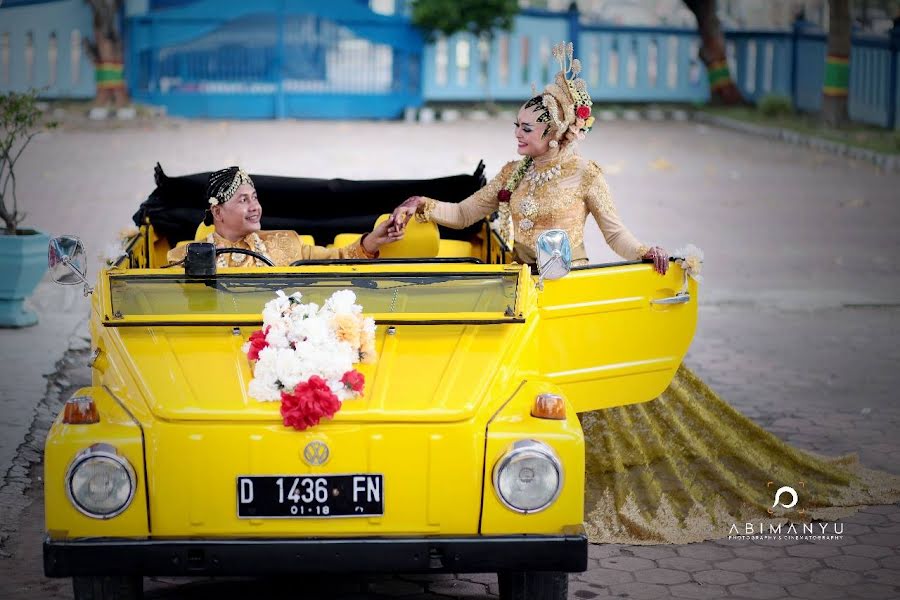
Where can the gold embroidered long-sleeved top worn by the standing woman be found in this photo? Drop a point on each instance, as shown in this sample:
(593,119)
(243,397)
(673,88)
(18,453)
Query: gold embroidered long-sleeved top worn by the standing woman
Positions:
(558,191)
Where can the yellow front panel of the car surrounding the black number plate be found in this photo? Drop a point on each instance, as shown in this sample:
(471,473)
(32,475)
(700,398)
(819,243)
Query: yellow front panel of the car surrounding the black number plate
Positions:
(193,489)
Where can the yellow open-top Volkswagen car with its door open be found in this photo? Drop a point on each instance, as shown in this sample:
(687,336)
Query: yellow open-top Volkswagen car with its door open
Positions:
(465,453)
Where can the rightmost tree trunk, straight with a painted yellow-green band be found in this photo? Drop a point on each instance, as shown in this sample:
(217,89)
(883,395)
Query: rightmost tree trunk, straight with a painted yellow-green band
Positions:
(837,64)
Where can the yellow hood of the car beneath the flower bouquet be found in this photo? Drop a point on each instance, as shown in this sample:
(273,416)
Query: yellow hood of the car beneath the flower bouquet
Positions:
(422,372)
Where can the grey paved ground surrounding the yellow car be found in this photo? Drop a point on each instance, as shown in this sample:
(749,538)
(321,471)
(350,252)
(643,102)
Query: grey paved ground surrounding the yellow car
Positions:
(799,313)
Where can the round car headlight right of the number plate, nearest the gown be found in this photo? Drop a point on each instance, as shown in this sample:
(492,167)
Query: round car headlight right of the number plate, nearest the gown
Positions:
(529,477)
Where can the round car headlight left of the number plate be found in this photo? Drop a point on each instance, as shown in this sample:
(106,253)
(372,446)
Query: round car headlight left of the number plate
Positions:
(100,483)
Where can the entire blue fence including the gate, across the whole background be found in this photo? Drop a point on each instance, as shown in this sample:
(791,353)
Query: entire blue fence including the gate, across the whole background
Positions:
(275,58)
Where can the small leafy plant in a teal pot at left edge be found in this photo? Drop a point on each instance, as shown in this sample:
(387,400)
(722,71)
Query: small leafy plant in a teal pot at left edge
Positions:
(23,252)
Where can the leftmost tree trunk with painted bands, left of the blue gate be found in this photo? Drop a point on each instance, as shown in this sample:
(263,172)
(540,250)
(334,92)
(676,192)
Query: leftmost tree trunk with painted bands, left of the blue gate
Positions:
(107,52)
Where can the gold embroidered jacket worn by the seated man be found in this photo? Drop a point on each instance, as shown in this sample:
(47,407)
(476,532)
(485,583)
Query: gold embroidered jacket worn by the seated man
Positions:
(281,247)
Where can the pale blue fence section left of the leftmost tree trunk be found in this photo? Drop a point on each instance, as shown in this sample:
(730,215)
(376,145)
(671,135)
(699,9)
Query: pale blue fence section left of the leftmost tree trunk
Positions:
(41,46)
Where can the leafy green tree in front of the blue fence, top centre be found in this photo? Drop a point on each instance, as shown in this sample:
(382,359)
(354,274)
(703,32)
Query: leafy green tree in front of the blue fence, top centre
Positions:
(481,18)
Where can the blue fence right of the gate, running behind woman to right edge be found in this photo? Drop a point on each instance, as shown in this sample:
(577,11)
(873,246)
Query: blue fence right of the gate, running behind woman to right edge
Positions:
(655,64)
